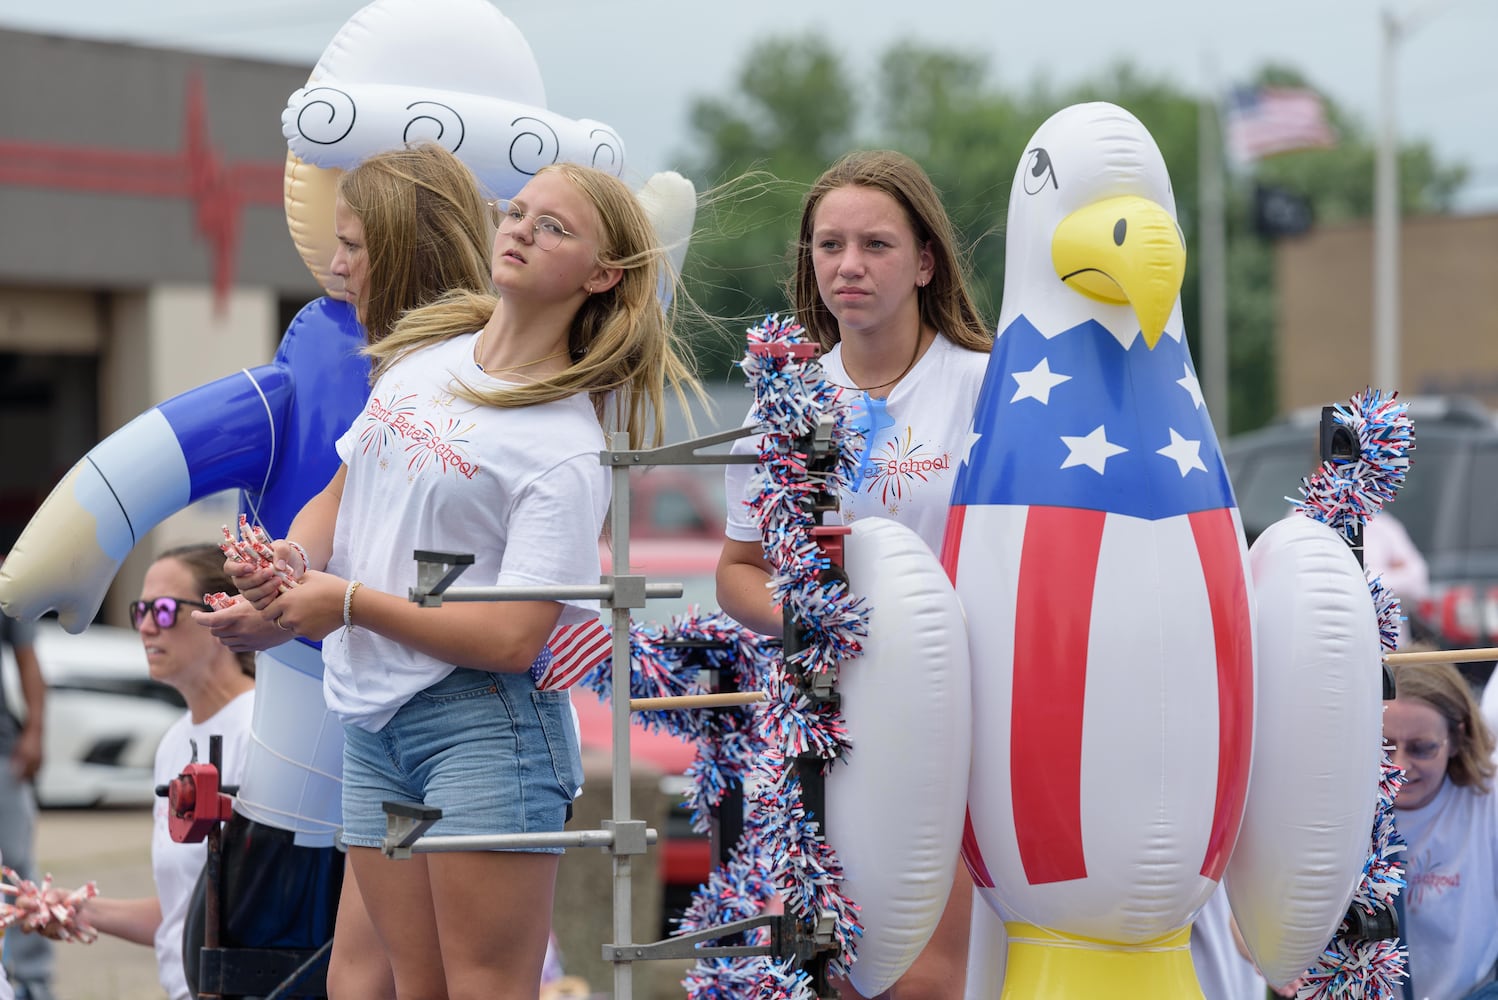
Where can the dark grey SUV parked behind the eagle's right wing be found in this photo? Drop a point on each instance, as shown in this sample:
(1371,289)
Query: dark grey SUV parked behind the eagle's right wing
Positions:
(1446,507)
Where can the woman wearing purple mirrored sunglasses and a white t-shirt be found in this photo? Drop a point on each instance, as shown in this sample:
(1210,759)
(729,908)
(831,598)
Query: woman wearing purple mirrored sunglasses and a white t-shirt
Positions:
(219,689)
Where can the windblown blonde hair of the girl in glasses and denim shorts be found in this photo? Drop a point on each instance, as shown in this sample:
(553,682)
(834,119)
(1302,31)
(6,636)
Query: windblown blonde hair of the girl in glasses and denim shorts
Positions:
(622,345)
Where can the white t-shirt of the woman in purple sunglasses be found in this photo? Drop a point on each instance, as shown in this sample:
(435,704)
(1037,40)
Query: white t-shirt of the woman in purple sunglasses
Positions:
(176,868)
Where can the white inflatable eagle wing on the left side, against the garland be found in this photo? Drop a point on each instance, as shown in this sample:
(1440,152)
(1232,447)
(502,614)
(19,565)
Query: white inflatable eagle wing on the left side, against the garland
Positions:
(895,805)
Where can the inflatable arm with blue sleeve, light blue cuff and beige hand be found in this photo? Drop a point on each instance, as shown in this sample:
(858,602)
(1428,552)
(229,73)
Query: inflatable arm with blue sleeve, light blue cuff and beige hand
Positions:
(267,432)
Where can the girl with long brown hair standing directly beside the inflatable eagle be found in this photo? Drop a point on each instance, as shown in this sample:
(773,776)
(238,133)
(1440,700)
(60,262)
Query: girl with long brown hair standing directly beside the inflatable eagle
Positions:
(880,284)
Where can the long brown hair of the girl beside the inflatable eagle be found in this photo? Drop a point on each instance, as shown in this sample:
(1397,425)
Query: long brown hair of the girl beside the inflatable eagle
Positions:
(946,303)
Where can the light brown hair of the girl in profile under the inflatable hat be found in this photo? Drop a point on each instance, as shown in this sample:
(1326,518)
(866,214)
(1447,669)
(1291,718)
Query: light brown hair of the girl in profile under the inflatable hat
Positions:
(425,231)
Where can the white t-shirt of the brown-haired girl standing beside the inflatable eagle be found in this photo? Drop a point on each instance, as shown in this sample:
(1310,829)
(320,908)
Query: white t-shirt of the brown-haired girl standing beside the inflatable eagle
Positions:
(913,457)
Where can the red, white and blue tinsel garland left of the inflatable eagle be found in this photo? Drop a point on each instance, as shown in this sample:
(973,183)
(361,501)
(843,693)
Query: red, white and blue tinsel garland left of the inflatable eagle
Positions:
(780,847)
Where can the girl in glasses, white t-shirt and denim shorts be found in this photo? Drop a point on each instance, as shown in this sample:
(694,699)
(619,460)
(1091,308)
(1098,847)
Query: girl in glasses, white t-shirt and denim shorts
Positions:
(483,436)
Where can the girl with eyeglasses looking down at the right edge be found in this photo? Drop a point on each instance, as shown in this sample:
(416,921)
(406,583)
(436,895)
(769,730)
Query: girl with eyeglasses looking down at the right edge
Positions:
(1448,815)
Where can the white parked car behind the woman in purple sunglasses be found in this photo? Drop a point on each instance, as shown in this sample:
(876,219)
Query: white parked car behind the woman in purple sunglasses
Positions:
(104,716)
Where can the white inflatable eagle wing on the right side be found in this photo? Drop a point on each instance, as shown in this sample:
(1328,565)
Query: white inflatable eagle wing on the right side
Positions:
(1311,802)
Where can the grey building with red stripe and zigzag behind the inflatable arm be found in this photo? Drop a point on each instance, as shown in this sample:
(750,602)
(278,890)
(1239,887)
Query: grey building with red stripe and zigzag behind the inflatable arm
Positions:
(143,252)
